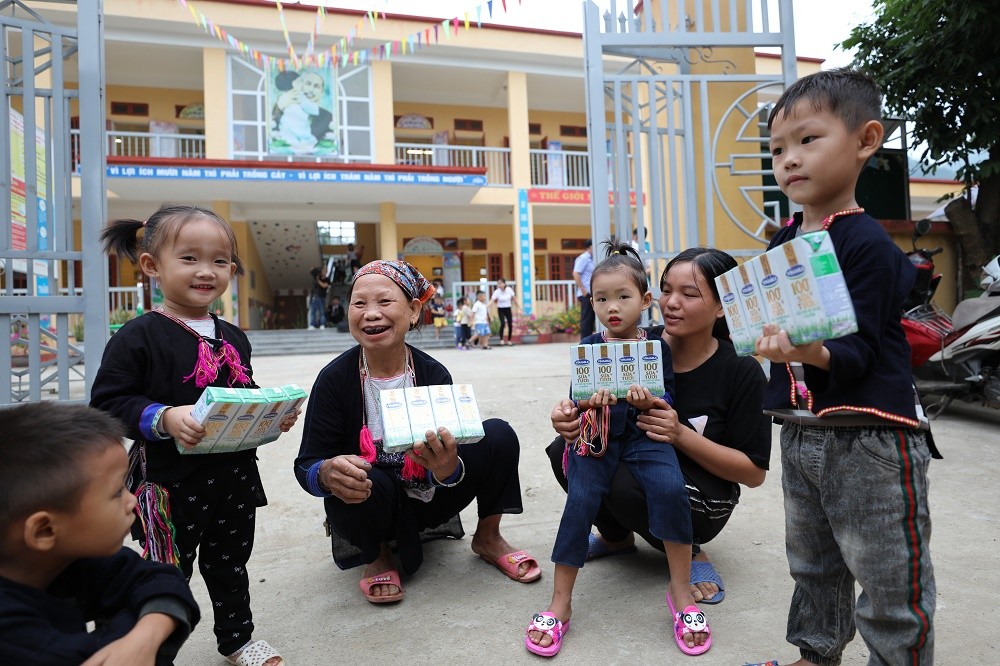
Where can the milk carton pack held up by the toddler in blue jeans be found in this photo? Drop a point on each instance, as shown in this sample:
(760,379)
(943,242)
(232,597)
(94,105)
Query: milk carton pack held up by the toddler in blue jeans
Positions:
(616,366)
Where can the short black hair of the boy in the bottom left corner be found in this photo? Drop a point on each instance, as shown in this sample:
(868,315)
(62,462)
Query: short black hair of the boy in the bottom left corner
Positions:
(42,451)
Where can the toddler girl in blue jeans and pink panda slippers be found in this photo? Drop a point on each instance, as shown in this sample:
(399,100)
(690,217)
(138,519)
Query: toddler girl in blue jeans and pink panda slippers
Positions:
(609,434)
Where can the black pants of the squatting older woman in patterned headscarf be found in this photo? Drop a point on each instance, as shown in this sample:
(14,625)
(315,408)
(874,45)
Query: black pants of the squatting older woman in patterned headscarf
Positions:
(491,478)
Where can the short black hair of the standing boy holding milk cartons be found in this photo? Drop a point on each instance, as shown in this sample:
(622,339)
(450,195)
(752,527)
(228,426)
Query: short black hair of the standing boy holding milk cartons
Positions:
(847,93)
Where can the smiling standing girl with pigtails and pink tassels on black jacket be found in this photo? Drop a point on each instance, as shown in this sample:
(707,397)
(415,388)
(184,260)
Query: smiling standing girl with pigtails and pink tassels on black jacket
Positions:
(153,371)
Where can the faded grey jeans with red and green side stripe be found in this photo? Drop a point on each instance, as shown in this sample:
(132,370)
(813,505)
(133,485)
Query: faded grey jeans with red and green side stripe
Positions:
(856,509)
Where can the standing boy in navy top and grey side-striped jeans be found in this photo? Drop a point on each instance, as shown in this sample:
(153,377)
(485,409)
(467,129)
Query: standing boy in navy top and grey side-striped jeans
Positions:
(854,459)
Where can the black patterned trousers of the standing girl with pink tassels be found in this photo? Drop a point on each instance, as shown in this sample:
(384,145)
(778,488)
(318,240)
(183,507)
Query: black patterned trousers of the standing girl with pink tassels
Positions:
(213,512)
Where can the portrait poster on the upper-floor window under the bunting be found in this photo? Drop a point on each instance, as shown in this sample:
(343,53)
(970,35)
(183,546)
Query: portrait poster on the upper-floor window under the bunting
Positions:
(302,112)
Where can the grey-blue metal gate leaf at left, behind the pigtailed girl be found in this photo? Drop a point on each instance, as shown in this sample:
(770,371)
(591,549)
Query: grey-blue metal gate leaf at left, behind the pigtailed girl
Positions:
(53,275)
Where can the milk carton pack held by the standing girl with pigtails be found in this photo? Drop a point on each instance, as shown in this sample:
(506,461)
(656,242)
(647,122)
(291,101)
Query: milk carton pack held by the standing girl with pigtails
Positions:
(237,419)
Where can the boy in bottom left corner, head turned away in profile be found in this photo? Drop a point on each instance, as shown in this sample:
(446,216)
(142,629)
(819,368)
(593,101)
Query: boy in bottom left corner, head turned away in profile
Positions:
(64,511)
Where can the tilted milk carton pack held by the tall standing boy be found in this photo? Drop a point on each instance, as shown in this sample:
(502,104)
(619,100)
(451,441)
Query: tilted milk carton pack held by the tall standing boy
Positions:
(798,286)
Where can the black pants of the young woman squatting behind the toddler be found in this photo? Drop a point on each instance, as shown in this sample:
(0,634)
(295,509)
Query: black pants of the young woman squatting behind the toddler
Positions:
(624,509)
